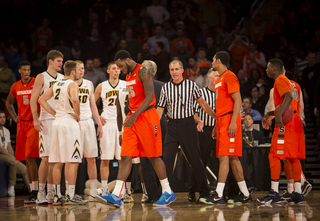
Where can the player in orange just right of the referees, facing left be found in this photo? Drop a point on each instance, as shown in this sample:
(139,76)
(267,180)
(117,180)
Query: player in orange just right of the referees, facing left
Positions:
(227,131)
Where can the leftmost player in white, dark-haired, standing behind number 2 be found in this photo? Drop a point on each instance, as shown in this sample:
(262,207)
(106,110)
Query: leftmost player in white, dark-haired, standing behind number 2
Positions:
(43,124)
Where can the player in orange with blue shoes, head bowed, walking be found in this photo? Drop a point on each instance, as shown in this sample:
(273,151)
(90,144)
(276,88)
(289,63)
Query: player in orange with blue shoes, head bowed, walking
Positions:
(142,134)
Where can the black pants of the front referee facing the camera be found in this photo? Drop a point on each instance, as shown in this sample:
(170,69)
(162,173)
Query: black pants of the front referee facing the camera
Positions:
(183,132)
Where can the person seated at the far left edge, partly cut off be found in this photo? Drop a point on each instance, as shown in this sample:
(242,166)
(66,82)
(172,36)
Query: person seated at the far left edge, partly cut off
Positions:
(7,156)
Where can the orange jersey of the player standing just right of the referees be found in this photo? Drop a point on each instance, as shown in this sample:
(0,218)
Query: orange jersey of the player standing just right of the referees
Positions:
(226,84)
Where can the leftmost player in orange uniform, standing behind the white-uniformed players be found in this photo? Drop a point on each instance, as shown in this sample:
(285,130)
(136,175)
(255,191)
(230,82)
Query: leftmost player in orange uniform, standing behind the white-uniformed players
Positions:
(27,146)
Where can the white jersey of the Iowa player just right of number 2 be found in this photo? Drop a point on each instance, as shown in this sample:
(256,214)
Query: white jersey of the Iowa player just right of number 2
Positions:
(84,98)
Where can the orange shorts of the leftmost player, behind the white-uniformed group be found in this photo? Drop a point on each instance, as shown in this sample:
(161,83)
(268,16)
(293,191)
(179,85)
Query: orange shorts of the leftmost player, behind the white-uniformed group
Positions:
(27,141)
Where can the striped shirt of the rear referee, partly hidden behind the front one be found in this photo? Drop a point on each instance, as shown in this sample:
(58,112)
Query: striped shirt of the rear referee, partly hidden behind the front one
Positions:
(208,96)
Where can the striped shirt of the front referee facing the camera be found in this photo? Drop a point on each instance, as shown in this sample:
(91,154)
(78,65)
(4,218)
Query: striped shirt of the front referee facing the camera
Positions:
(179,98)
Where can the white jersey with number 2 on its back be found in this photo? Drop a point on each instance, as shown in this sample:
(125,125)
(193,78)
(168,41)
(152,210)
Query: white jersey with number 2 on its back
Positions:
(62,100)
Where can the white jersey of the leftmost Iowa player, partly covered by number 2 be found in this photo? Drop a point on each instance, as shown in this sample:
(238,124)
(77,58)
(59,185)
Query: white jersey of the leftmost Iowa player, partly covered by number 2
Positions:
(48,81)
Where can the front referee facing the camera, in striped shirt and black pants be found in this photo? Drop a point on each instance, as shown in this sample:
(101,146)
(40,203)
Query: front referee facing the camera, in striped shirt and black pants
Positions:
(178,95)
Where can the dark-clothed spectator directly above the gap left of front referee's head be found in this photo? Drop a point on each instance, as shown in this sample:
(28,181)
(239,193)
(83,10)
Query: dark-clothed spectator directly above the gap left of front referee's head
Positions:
(161,60)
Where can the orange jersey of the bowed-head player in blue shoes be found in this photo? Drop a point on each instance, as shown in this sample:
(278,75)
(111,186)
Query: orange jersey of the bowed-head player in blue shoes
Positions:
(136,90)
